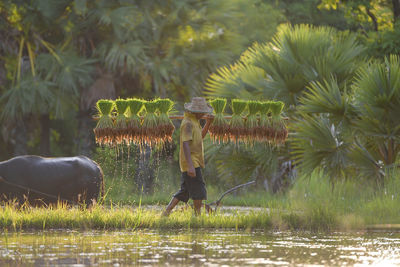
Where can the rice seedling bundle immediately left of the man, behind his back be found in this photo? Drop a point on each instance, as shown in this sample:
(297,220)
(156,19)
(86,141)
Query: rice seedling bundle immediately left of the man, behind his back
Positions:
(165,126)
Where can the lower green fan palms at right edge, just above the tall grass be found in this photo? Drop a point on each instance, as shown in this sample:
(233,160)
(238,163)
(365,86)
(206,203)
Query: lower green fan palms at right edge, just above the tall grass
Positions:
(359,130)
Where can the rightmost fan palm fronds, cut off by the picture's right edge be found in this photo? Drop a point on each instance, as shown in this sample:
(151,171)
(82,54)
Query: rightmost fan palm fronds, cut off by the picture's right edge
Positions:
(377,99)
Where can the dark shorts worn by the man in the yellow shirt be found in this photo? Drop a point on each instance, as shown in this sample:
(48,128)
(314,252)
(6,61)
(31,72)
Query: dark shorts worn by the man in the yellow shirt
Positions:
(192,187)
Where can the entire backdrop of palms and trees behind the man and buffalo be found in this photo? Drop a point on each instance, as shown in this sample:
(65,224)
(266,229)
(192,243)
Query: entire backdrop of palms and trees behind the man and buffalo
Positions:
(328,61)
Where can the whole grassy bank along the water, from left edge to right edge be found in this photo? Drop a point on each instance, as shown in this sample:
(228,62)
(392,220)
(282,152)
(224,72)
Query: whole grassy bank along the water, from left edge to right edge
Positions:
(311,204)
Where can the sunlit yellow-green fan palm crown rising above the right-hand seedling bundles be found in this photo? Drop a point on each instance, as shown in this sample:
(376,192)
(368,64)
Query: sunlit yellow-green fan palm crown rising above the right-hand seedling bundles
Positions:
(284,68)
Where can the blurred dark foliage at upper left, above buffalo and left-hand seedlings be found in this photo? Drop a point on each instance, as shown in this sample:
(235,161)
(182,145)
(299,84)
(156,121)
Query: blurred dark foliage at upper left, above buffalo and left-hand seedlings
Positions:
(60,57)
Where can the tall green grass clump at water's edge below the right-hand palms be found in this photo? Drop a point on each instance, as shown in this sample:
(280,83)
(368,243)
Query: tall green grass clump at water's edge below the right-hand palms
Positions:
(314,204)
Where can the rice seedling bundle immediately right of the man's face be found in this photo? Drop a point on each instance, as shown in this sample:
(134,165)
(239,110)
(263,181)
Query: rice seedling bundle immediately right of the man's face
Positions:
(219,129)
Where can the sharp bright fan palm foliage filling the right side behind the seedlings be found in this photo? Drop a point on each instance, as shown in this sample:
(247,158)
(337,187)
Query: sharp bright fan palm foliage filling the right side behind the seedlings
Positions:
(343,104)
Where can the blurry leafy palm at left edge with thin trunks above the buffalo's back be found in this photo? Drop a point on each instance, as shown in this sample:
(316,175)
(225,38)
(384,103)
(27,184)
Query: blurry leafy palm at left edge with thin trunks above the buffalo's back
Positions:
(31,89)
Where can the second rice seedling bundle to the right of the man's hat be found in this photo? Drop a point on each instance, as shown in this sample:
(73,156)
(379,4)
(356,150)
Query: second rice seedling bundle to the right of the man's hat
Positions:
(237,128)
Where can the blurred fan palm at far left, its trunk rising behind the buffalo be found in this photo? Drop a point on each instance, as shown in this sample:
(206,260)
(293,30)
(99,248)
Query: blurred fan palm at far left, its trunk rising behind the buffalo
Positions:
(49,82)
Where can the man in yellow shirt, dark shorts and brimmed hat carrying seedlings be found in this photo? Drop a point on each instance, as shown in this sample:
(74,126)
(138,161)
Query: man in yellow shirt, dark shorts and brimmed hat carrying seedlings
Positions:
(191,155)
